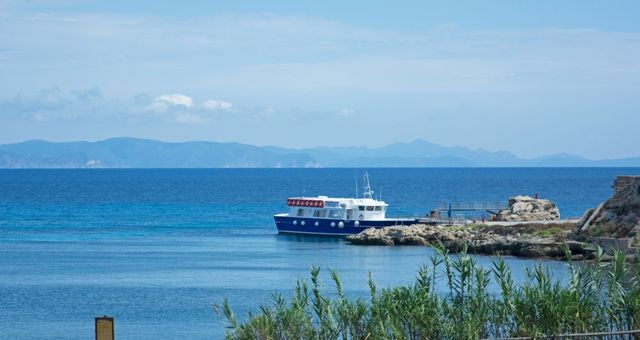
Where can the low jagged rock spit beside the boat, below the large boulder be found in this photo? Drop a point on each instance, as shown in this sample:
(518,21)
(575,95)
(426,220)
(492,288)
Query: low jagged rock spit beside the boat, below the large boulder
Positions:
(526,240)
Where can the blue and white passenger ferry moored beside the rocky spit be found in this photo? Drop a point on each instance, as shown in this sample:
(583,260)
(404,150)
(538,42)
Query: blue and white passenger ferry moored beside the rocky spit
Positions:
(329,216)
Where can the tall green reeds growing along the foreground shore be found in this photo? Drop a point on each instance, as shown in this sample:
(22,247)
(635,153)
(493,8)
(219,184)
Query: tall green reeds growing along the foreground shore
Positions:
(597,297)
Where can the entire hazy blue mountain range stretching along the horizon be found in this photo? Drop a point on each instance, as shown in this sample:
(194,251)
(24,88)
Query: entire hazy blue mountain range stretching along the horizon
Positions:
(144,153)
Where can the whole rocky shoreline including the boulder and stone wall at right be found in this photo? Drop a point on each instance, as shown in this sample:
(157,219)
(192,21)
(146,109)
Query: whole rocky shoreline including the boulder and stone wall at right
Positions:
(613,225)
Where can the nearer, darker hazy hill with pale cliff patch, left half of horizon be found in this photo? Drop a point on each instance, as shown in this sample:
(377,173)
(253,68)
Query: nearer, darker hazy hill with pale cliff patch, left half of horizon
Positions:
(142,153)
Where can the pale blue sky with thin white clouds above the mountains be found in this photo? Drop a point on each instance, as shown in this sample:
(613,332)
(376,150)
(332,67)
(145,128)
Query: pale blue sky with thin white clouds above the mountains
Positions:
(533,78)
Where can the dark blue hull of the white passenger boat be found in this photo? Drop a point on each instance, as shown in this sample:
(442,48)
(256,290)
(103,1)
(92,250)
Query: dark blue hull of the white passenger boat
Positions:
(323,226)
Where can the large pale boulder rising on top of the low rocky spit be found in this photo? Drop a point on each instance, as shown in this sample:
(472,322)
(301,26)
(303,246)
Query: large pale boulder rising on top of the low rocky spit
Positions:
(525,208)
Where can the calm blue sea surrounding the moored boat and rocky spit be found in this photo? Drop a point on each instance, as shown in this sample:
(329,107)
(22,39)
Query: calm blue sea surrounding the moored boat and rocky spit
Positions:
(156,248)
